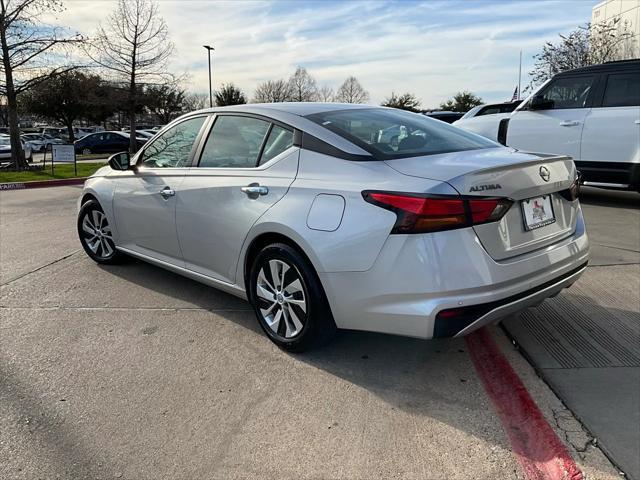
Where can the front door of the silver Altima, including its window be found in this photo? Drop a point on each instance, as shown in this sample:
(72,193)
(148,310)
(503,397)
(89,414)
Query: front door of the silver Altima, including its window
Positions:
(145,197)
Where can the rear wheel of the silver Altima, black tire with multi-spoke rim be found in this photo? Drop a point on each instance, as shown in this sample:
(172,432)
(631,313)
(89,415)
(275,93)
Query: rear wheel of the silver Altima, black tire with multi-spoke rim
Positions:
(318,325)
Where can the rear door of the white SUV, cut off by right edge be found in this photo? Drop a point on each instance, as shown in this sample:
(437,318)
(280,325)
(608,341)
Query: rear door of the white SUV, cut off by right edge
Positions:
(611,137)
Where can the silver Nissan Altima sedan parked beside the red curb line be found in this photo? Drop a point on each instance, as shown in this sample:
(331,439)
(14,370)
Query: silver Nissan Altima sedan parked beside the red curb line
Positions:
(310,212)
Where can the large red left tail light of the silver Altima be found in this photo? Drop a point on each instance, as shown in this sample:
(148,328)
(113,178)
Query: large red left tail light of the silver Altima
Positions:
(422,214)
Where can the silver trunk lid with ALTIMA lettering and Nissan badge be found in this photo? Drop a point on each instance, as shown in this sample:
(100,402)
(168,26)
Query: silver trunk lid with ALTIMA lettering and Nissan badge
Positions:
(505,173)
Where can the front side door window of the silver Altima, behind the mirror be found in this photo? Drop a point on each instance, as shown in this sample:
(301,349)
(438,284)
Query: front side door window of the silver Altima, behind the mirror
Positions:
(173,147)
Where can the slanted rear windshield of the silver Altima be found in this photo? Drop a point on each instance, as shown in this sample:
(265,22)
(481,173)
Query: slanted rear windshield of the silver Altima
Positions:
(389,133)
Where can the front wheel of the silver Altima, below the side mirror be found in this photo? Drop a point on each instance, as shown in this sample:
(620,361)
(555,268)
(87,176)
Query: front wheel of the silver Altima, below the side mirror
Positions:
(99,245)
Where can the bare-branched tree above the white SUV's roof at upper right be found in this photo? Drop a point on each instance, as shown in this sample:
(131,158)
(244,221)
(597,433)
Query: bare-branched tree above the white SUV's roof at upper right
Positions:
(584,46)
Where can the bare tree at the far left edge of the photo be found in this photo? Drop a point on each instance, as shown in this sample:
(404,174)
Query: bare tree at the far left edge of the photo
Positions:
(31,53)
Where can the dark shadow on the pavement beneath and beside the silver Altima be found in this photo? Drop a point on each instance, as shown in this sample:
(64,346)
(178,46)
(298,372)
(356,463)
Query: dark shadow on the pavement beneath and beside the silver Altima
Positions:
(433,378)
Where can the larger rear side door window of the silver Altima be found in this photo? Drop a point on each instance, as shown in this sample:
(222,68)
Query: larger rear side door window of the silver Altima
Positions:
(234,142)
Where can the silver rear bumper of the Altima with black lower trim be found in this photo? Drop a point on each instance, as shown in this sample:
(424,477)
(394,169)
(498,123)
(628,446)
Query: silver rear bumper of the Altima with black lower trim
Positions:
(418,276)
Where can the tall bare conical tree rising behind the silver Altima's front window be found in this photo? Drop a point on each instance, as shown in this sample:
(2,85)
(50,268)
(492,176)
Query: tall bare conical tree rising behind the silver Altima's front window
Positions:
(134,47)
